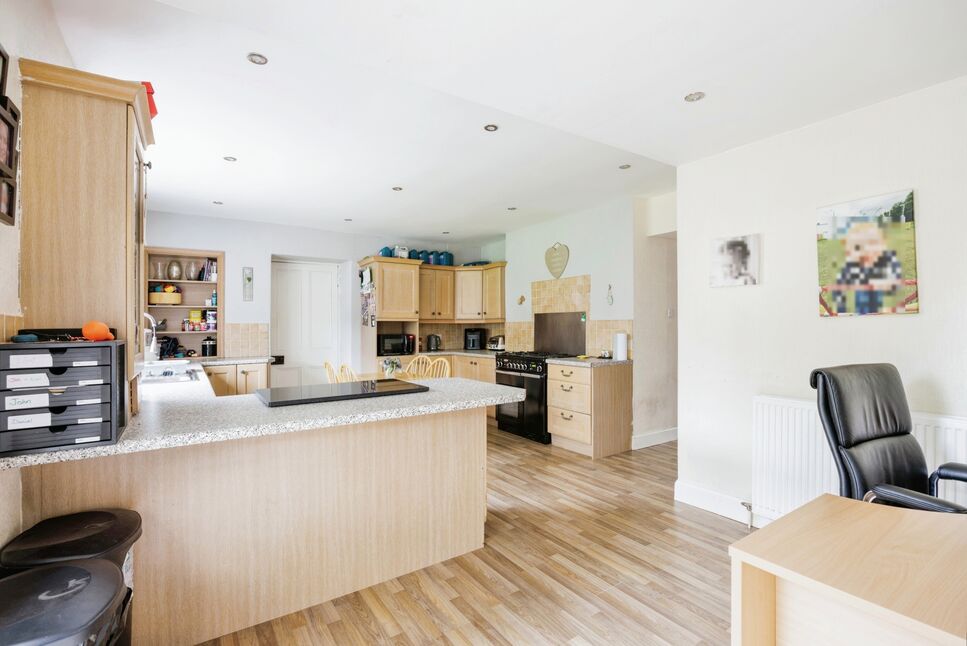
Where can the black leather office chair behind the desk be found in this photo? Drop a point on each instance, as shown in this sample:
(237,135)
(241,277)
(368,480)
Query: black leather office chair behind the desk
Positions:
(867,421)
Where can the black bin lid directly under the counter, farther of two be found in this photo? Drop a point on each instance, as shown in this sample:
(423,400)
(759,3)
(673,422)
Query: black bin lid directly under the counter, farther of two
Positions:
(99,533)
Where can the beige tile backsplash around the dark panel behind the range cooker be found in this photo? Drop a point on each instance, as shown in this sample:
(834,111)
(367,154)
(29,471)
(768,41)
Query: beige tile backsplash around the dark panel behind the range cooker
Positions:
(571,294)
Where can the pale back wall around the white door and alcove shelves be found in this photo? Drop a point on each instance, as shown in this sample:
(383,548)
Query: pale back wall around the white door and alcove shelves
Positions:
(252,244)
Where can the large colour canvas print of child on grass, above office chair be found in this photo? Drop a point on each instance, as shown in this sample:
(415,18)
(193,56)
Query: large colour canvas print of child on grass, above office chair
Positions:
(868,257)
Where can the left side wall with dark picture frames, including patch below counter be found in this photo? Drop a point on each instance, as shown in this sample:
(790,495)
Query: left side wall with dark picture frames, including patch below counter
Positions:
(27,30)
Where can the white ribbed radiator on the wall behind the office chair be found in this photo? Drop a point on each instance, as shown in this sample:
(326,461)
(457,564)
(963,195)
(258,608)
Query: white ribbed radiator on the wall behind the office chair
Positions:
(793,464)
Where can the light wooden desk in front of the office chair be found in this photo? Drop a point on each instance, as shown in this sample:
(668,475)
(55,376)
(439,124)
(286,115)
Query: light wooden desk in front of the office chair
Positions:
(840,571)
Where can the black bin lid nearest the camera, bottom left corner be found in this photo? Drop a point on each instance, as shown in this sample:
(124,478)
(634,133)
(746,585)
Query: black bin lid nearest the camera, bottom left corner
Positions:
(60,604)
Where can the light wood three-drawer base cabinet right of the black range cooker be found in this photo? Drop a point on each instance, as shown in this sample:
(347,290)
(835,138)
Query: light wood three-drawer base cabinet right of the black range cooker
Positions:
(589,409)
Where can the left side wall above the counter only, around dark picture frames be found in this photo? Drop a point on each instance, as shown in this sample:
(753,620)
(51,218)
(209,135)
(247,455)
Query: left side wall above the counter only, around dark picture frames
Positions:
(27,30)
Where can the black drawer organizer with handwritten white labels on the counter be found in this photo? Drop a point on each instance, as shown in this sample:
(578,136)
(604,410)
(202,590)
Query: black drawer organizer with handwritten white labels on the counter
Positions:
(61,395)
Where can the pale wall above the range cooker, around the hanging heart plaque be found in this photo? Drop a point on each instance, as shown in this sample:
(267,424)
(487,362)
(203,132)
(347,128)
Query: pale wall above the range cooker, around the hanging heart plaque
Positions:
(601,244)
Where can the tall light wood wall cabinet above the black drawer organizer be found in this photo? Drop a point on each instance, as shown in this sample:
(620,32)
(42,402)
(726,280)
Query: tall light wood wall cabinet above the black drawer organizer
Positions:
(83,192)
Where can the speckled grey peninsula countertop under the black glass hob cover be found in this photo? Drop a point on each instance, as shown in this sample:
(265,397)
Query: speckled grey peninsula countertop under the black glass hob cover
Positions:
(186,413)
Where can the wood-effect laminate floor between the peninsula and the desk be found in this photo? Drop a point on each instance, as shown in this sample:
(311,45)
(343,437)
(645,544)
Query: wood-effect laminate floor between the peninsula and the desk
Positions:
(576,552)
